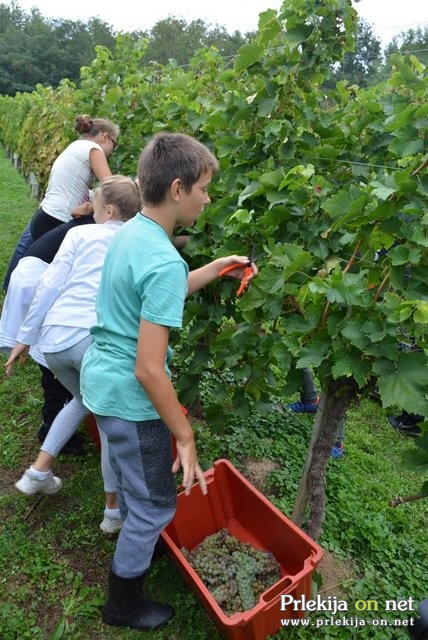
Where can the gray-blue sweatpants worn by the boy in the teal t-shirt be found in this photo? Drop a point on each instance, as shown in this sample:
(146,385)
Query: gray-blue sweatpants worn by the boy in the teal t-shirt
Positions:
(141,455)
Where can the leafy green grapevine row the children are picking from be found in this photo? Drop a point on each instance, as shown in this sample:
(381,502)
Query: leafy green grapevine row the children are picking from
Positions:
(317,182)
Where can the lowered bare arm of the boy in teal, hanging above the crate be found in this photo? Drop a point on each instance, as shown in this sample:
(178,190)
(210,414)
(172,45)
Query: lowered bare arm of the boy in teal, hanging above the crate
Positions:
(150,373)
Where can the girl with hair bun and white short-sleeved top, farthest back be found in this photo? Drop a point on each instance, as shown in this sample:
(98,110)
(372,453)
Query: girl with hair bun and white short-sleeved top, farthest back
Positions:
(73,172)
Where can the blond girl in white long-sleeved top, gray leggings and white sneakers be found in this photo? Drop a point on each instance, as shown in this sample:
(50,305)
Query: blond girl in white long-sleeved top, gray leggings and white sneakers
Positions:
(58,321)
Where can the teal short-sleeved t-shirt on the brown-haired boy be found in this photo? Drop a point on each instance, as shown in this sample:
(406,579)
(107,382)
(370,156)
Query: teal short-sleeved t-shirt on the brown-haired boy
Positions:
(143,276)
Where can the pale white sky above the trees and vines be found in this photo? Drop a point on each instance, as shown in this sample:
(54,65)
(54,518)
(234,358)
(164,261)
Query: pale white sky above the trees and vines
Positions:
(388,17)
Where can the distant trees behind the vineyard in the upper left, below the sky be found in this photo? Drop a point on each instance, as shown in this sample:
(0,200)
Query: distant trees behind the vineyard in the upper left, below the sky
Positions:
(35,49)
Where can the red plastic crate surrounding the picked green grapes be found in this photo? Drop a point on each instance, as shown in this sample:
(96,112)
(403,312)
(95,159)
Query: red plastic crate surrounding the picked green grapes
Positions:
(234,504)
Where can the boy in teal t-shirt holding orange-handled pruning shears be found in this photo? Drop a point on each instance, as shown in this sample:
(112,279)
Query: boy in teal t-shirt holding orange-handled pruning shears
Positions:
(125,379)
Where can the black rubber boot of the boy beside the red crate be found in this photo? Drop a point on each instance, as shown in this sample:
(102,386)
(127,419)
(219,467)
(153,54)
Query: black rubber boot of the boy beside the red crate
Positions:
(127,607)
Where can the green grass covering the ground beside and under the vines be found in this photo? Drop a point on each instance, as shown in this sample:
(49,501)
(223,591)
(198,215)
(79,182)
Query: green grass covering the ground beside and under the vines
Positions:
(54,559)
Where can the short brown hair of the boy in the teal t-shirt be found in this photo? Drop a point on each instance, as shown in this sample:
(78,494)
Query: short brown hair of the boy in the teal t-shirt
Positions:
(169,156)
